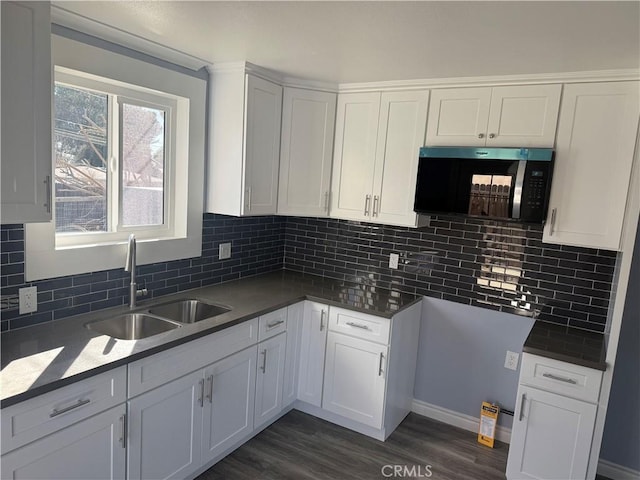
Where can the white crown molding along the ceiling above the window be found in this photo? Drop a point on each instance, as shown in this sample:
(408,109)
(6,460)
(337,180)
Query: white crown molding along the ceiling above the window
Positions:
(66,18)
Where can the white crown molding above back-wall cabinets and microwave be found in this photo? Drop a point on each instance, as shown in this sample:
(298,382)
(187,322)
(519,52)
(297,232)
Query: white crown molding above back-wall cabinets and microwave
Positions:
(490,81)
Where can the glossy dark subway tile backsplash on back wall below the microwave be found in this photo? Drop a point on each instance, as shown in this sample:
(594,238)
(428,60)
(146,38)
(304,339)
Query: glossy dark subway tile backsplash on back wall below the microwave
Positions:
(491,264)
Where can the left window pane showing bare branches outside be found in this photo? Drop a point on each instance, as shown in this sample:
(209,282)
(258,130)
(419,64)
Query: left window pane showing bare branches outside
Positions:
(80,138)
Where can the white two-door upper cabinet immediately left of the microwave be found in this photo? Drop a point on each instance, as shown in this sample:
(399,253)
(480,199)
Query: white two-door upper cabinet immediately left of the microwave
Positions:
(378,136)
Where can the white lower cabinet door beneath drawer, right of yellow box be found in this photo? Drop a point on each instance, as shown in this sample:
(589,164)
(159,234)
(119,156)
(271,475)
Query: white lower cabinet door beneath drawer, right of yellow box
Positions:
(551,436)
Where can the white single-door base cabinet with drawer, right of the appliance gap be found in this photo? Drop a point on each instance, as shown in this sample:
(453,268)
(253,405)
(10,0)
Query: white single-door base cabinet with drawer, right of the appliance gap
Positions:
(554,420)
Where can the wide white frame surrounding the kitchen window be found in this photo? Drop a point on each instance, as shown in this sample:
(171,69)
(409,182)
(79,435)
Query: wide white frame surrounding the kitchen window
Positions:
(49,255)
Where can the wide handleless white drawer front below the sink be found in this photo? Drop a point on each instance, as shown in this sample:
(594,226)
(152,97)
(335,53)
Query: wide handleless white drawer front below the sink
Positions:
(158,369)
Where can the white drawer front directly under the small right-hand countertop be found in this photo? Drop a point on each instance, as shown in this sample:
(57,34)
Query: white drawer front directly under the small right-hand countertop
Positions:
(561,377)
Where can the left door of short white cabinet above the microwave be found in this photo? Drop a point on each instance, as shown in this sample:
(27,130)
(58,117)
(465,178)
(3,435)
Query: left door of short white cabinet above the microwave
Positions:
(458,116)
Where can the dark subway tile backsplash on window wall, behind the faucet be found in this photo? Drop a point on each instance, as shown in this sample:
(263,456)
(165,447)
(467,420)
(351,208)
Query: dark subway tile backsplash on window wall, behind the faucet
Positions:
(257,247)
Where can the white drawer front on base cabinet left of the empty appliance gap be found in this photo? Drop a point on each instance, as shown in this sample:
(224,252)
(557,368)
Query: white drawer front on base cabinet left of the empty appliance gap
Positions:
(360,325)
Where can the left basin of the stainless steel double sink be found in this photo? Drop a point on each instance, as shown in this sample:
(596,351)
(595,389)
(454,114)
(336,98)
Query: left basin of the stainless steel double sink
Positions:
(132,326)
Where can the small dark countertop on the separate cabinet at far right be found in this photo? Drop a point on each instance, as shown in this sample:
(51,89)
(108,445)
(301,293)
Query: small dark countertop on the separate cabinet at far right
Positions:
(567,344)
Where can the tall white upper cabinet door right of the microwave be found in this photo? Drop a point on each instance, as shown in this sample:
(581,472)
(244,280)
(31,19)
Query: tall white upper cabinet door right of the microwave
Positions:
(594,154)
